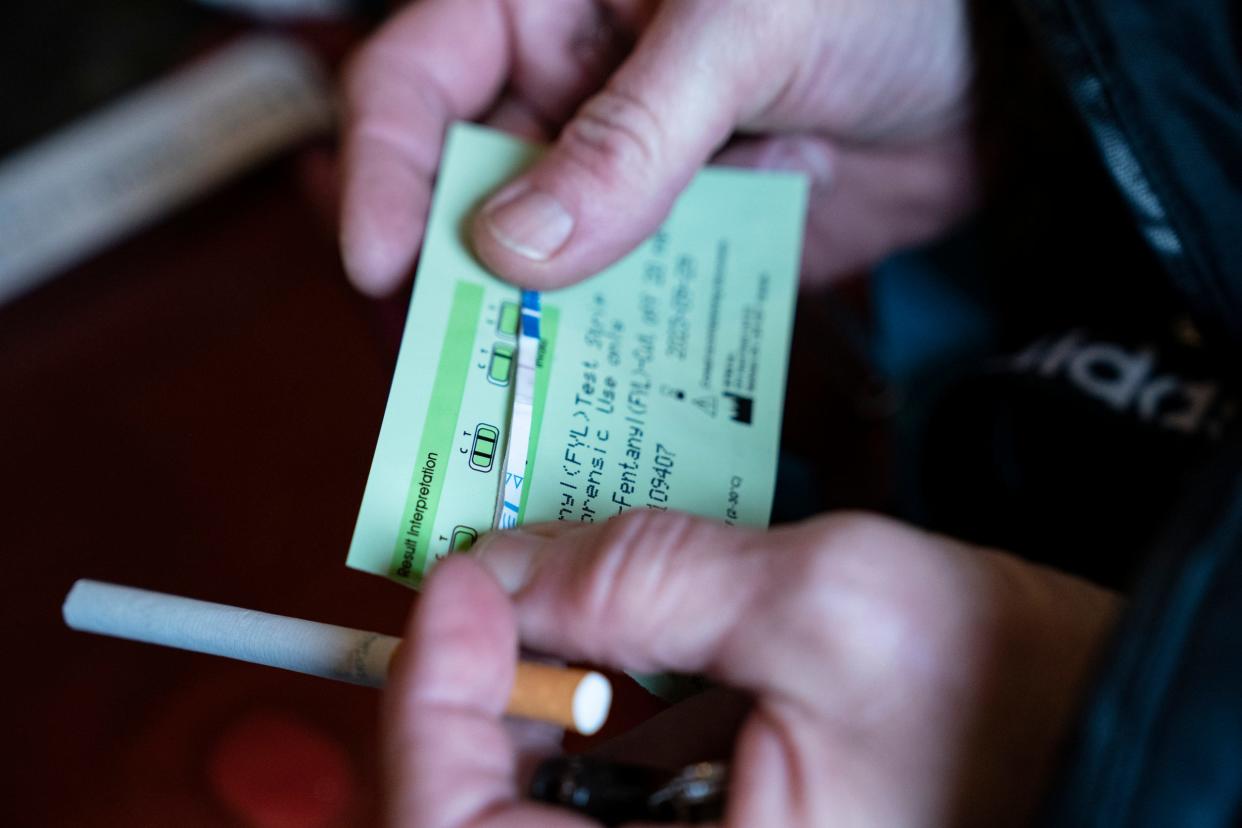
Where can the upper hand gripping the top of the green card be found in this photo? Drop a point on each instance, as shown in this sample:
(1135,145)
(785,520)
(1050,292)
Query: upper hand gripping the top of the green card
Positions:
(869,99)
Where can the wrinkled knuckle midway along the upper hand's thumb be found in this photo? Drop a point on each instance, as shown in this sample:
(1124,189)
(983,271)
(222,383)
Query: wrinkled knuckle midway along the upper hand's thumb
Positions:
(614,136)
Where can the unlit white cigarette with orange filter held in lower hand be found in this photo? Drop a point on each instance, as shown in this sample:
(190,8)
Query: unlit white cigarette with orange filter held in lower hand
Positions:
(567,697)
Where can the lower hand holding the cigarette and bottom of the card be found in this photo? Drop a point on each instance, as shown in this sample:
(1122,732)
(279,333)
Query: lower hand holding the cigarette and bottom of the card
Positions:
(899,678)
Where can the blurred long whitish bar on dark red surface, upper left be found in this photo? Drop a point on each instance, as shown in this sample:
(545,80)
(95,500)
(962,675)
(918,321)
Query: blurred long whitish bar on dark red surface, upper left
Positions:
(109,174)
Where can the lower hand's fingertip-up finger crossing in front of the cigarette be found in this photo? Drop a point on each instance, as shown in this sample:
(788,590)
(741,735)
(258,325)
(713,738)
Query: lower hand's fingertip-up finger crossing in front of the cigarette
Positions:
(451,763)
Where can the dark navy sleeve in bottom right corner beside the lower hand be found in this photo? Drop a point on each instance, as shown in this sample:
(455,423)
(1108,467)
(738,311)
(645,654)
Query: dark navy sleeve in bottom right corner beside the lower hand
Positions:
(1161,740)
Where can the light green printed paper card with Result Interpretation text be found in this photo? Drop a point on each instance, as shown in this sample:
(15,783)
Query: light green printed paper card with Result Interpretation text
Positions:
(659,383)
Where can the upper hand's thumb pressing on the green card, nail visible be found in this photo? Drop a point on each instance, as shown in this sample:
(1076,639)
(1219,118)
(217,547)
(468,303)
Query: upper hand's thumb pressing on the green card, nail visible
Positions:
(619,164)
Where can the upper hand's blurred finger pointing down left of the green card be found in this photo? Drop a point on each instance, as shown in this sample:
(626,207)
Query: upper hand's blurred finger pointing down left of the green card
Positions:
(435,63)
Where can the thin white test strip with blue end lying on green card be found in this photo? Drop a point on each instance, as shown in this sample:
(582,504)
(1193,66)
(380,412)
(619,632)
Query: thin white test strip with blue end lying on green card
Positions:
(510,501)
